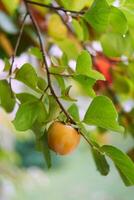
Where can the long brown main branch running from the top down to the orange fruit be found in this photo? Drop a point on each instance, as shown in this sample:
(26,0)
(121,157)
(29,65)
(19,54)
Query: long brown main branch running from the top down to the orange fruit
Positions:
(36,27)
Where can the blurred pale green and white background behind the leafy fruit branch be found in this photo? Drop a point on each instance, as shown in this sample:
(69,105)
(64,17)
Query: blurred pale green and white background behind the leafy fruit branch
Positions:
(23,171)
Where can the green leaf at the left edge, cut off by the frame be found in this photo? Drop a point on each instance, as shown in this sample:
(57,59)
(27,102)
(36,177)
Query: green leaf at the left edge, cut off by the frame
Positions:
(7,100)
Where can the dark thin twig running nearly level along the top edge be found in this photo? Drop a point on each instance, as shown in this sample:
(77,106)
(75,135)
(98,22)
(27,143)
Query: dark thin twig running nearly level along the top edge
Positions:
(56,8)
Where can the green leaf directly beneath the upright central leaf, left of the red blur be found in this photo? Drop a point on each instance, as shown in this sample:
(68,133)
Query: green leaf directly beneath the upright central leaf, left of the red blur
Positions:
(85,84)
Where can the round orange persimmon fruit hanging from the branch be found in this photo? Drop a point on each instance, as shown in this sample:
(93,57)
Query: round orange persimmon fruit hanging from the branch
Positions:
(62,139)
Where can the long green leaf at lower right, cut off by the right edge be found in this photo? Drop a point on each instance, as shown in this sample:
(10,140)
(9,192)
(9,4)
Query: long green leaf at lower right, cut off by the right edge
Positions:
(121,161)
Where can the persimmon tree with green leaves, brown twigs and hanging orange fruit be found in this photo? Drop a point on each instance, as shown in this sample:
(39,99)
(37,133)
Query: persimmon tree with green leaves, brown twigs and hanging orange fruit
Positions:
(105,76)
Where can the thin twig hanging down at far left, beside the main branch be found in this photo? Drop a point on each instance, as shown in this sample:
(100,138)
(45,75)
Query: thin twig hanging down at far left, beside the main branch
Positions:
(16,46)
